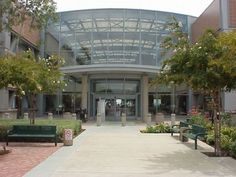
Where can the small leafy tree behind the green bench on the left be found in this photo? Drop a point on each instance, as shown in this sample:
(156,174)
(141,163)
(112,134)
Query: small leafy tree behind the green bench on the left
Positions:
(31,76)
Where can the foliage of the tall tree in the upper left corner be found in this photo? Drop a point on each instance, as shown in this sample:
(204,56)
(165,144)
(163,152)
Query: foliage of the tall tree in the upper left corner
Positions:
(15,12)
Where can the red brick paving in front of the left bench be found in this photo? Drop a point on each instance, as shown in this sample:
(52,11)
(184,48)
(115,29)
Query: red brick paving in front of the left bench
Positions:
(23,157)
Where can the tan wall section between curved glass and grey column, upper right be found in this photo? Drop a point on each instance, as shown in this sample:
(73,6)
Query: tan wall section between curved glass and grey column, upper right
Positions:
(209,19)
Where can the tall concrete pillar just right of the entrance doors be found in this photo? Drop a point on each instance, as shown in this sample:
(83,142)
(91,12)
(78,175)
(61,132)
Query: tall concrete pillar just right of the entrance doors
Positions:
(145,97)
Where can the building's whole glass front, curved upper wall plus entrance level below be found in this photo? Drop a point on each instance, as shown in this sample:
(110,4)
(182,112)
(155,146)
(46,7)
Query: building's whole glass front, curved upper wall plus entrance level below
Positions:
(113,38)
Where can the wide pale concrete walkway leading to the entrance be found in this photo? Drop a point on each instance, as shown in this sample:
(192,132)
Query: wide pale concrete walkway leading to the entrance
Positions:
(115,151)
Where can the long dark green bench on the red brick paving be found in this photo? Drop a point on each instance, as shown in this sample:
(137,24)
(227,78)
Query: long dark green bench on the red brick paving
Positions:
(32,132)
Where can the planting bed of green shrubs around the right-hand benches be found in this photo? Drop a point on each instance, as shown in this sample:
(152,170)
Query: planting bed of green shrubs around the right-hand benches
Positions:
(228,132)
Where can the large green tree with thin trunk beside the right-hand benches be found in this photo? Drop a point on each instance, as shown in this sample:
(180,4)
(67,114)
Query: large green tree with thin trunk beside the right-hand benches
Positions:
(208,66)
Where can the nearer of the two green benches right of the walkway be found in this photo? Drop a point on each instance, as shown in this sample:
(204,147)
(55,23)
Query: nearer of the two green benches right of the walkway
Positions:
(195,132)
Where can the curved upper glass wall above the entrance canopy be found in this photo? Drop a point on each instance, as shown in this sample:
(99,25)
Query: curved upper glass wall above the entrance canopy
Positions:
(110,36)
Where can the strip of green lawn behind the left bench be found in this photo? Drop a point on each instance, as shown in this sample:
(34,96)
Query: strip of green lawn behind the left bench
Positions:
(75,125)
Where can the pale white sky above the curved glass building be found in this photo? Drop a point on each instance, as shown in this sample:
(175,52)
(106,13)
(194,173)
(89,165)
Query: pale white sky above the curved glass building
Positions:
(188,7)
